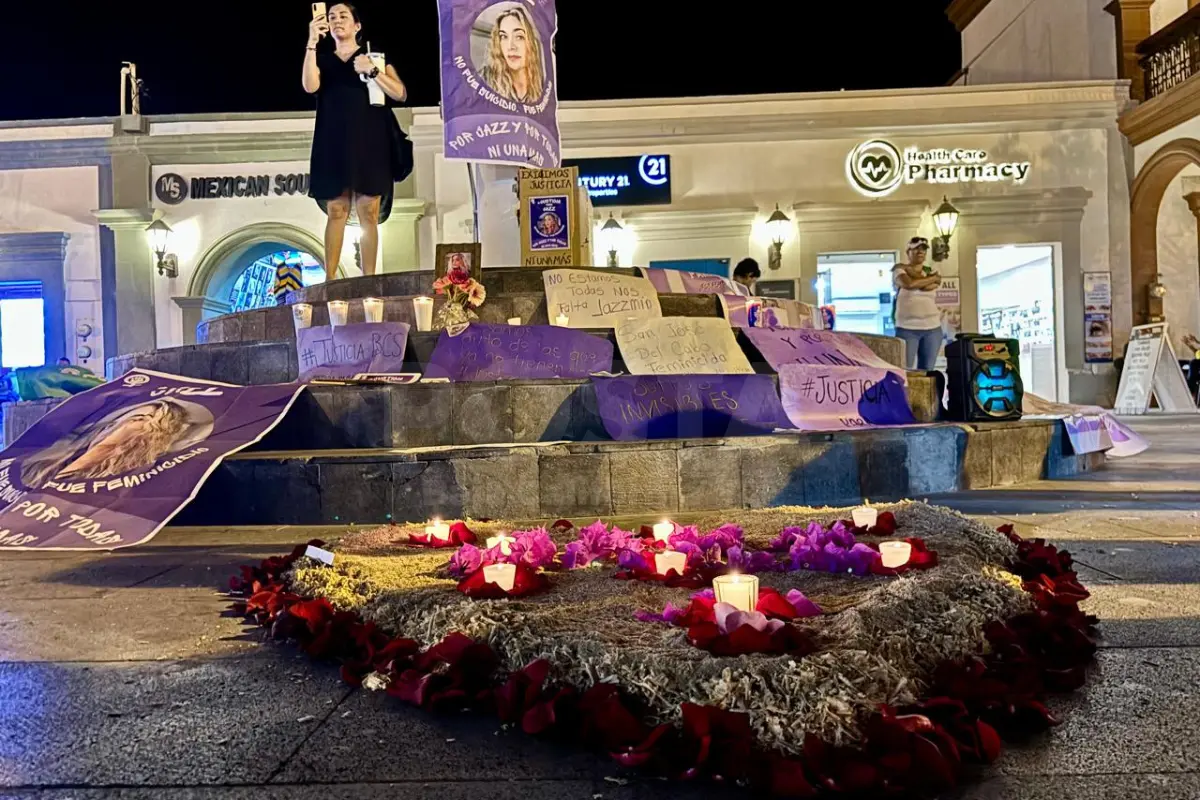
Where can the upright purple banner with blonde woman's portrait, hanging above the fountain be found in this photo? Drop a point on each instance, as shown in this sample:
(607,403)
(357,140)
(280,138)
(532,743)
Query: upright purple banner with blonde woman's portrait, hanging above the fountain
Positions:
(500,86)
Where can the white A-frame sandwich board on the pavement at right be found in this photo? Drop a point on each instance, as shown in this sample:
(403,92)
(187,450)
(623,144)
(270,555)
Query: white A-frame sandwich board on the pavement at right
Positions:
(1151,369)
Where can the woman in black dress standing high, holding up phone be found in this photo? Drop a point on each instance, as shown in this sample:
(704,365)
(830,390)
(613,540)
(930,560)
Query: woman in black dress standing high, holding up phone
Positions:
(358,151)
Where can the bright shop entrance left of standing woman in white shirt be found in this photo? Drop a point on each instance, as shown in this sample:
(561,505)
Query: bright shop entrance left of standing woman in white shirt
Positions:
(859,286)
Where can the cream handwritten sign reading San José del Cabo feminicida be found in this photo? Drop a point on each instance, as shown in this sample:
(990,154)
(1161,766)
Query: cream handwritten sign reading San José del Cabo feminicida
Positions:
(681,346)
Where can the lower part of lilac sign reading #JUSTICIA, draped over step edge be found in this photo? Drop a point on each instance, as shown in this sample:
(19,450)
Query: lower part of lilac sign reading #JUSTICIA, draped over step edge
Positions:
(844,399)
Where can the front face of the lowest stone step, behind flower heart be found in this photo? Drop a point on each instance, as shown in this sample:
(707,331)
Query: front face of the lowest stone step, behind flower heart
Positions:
(605,479)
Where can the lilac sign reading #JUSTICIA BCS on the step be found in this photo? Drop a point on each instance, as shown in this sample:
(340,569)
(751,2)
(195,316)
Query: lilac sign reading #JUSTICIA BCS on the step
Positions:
(328,353)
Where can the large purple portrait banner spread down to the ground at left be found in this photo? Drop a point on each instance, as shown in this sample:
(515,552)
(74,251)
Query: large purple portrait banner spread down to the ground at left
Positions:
(111,467)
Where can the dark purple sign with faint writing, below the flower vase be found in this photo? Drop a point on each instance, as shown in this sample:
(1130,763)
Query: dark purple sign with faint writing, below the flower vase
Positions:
(518,352)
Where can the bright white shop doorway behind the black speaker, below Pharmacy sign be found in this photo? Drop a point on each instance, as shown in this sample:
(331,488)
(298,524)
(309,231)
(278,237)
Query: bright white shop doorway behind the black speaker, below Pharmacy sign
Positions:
(1019,300)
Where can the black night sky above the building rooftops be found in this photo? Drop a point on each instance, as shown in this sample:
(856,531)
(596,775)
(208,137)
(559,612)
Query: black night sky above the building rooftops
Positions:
(245,57)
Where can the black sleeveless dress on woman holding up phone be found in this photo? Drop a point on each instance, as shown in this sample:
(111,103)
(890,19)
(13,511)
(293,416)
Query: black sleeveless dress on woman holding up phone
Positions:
(357,147)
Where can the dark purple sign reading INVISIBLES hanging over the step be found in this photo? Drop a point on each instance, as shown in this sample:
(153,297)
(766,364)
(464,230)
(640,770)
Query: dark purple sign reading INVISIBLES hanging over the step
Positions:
(689,407)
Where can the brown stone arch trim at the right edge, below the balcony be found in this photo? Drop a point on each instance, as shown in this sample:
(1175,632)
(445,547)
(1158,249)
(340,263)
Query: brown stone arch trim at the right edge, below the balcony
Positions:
(1145,201)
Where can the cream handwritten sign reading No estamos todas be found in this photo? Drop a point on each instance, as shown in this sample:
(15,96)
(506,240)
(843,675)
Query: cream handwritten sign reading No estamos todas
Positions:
(595,299)
